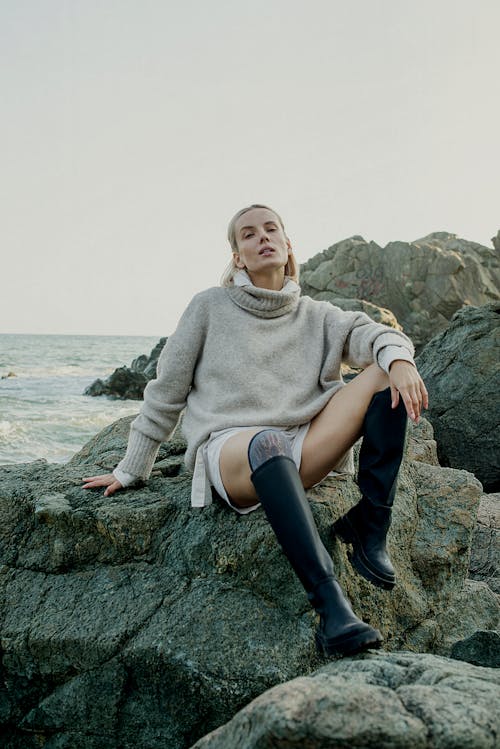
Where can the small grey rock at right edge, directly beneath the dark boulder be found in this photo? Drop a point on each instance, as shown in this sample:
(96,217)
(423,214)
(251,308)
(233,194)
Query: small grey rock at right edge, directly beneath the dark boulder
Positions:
(484,562)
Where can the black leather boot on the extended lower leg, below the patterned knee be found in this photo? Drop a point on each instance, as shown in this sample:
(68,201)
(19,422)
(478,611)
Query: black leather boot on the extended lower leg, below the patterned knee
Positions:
(282,495)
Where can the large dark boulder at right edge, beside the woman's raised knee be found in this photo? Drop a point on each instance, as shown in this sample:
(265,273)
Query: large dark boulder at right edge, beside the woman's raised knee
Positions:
(461,369)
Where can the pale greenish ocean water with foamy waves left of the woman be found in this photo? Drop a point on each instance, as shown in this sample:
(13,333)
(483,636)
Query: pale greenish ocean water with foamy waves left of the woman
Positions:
(43,412)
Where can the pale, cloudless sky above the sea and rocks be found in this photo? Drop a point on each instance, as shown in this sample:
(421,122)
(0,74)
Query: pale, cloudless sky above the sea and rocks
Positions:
(132,130)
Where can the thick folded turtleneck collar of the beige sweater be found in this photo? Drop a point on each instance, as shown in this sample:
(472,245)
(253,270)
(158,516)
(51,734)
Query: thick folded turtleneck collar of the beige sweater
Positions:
(263,302)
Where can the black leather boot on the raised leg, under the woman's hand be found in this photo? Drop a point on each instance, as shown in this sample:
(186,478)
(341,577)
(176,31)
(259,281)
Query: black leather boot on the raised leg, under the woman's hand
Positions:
(365,526)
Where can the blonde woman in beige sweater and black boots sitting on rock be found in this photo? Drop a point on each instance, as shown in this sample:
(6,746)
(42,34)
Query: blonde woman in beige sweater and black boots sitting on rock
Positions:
(257,369)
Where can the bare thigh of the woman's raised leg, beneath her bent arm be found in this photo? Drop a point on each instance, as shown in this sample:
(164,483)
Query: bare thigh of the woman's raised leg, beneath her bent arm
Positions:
(337,427)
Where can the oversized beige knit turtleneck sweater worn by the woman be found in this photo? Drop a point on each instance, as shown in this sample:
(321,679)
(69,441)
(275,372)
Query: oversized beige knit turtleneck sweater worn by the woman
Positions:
(245,356)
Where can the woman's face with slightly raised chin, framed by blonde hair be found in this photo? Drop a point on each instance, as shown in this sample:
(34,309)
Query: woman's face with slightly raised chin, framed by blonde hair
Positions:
(262,243)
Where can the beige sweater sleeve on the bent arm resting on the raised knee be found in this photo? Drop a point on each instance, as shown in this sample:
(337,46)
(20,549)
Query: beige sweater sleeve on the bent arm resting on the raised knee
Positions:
(365,339)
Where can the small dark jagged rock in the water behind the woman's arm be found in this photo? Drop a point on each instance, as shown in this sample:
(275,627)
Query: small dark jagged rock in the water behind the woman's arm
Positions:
(129,382)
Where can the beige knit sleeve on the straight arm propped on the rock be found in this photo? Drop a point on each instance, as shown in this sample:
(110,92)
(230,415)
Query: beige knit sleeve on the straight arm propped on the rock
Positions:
(165,396)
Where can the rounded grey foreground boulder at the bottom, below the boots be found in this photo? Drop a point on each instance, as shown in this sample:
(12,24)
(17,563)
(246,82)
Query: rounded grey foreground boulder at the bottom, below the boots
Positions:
(395,700)
